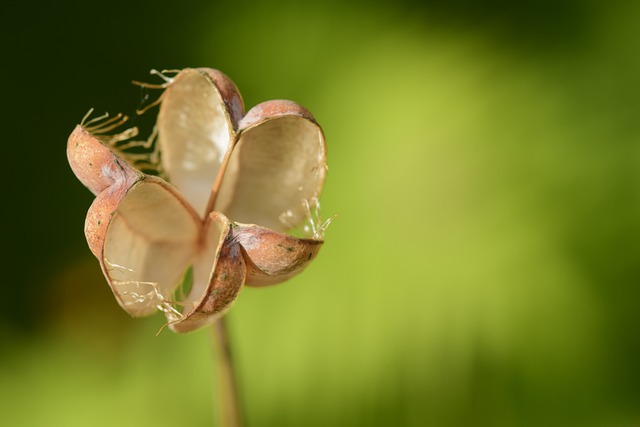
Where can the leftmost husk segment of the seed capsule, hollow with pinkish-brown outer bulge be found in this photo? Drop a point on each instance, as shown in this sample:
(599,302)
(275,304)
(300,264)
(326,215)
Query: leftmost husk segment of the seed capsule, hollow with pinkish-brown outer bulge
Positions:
(141,230)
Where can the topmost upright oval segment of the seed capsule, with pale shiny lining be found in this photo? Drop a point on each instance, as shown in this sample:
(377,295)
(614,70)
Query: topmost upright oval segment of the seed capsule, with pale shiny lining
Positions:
(197,125)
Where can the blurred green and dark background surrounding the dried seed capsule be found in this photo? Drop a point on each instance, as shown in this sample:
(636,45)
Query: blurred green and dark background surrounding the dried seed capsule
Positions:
(484,164)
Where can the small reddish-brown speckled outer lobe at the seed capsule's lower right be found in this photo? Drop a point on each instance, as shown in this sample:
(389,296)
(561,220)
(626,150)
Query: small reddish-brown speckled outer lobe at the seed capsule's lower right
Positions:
(273,257)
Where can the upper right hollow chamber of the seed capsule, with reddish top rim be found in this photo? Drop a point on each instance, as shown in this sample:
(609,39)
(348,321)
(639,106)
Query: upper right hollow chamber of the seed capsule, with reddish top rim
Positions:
(278,161)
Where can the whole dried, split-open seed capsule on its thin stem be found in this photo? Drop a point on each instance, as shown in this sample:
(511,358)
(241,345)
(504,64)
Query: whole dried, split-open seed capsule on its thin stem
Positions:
(183,219)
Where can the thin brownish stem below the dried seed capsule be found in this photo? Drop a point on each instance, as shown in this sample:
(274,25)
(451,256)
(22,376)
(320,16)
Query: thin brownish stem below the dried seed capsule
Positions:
(228,398)
